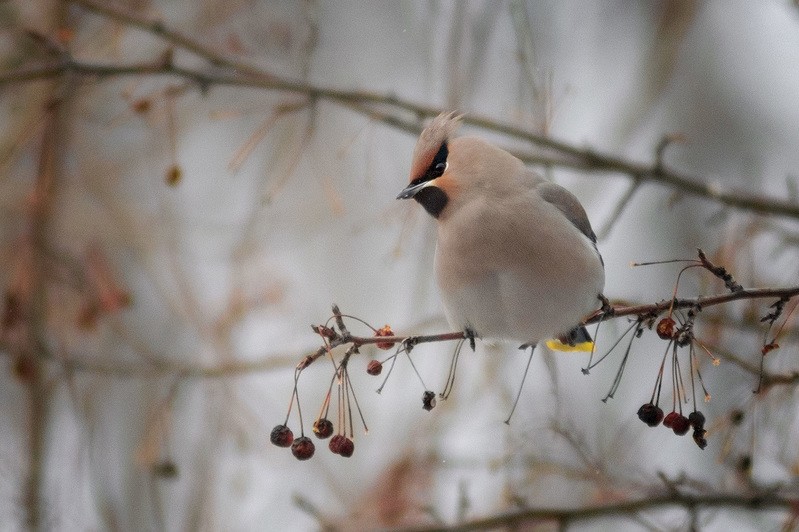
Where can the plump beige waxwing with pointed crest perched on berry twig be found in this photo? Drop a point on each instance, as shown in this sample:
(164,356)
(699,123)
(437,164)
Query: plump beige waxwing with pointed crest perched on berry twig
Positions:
(516,258)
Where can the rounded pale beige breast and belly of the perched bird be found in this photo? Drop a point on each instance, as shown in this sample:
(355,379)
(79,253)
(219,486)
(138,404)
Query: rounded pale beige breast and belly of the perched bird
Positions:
(506,277)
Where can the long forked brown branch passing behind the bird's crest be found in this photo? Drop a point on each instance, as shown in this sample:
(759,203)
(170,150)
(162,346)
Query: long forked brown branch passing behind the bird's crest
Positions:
(243,74)
